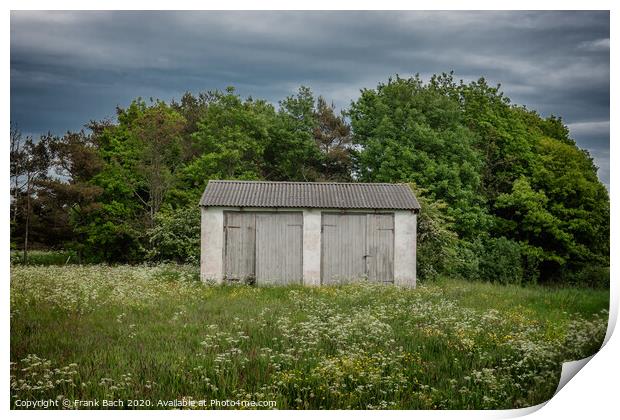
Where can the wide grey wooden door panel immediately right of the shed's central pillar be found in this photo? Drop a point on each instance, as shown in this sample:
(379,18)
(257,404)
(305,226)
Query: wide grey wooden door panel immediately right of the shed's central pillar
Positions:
(343,243)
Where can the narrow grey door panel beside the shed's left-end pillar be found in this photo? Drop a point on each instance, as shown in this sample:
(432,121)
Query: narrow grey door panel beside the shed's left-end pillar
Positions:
(239,245)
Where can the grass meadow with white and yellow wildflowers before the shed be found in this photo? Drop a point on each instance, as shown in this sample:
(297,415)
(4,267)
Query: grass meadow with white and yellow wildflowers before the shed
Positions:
(157,334)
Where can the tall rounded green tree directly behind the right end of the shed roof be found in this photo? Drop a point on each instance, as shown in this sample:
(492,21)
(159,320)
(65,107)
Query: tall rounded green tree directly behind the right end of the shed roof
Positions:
(412,132)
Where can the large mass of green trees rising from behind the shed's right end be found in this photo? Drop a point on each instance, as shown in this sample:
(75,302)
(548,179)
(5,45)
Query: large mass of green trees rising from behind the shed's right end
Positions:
(502,170)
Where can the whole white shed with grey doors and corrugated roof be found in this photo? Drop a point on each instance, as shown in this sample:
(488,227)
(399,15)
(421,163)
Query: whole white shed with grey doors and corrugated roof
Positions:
(309,233)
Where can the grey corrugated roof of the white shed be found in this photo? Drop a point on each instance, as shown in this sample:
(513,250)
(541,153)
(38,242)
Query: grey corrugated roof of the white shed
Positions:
(331,195)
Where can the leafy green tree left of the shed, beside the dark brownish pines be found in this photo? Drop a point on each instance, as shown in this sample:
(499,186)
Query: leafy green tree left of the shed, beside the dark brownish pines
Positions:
(140,156)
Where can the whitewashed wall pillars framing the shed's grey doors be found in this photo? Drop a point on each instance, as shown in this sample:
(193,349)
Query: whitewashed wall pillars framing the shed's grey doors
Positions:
(212,244)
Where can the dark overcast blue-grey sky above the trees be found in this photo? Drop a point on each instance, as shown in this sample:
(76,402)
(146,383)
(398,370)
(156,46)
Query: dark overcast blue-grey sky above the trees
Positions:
(70,67)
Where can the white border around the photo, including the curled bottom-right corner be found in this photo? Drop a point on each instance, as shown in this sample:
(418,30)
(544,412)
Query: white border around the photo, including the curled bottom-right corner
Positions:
(592,394)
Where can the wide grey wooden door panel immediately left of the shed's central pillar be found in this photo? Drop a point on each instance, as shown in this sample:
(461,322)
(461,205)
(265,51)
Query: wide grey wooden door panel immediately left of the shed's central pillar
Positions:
(279,248)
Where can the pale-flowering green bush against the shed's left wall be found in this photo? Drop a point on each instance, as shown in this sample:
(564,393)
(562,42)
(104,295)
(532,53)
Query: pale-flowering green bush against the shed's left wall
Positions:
(176,236)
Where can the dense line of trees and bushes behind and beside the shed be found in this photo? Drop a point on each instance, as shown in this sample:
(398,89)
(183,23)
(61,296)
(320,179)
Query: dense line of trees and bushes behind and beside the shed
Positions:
(507,195)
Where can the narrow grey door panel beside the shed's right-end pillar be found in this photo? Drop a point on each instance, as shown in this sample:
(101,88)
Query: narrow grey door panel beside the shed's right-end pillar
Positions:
(380,247)
